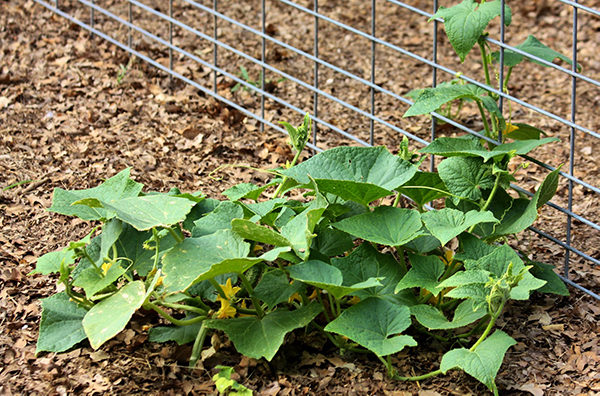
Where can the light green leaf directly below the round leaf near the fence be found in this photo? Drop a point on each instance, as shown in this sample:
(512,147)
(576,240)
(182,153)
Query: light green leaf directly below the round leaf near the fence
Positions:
(445,224)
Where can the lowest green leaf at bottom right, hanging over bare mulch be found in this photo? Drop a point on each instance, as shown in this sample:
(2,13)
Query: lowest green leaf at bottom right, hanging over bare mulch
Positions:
(484,362)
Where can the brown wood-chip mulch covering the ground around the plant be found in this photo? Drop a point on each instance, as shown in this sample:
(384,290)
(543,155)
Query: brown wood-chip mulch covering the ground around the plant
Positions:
(66,121)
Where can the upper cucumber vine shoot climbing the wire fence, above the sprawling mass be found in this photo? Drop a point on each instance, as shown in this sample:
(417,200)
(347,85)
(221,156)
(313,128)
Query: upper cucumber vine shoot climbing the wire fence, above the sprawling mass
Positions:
(465,26)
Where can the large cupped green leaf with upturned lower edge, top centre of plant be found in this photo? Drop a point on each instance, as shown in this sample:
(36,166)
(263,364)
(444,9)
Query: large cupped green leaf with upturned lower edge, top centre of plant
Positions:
(360,174)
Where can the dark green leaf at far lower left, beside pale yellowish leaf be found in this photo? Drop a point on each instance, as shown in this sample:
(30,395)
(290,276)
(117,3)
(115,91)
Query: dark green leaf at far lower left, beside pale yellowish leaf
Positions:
(60,325)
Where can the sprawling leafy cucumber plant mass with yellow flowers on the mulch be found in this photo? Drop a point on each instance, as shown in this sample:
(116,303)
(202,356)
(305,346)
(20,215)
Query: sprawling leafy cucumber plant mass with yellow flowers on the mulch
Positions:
(259,264)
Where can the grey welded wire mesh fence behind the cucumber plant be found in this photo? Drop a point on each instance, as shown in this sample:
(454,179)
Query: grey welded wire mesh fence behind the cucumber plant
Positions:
(353,65)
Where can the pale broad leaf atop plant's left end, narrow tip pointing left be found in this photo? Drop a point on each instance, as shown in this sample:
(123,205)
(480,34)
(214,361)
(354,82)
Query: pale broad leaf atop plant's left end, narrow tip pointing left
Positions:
(145,212)
